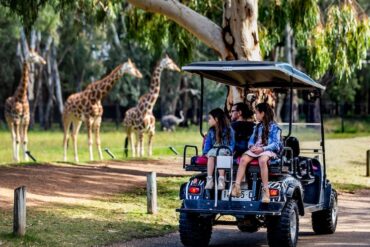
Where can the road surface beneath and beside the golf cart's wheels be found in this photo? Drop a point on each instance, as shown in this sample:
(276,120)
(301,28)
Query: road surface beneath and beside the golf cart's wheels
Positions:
(353,229)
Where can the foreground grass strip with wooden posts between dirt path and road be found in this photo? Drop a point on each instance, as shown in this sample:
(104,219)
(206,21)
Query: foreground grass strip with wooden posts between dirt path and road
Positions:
(96,222)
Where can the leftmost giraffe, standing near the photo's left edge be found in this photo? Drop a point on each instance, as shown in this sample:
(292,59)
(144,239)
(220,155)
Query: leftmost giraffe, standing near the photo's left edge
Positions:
(17,109)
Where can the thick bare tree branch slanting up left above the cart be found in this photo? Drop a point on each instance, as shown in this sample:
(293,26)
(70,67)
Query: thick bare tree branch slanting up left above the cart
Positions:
(200,26)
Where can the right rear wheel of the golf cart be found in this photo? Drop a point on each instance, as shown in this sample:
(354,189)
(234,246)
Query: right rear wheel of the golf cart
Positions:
(283,231)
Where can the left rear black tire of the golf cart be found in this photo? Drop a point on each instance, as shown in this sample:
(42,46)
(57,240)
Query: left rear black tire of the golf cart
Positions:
(195,230)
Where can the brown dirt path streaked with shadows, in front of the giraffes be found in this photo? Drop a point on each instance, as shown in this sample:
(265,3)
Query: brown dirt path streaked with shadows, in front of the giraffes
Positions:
(77,183)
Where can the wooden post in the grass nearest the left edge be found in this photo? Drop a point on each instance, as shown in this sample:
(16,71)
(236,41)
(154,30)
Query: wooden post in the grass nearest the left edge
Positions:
(19,220)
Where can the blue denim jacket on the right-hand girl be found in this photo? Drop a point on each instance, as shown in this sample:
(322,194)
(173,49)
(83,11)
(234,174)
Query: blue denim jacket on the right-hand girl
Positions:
(274,142)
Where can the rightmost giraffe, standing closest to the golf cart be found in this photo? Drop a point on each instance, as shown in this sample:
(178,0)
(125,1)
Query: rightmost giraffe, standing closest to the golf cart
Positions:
(140,119)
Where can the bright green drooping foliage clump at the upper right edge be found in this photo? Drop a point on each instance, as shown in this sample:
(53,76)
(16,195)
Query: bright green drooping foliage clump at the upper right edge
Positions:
(339,46)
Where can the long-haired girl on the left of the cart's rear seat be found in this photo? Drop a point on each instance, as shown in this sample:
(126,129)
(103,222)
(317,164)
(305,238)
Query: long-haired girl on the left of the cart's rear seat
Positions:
(220,133)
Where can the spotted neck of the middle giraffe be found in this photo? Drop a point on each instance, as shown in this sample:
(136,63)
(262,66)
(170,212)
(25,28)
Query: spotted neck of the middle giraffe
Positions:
(99,89)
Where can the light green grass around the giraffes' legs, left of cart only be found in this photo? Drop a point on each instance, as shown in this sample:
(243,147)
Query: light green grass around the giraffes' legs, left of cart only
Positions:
(46,146)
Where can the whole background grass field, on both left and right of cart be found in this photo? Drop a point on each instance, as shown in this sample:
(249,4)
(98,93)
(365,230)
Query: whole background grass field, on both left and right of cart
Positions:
(46,146)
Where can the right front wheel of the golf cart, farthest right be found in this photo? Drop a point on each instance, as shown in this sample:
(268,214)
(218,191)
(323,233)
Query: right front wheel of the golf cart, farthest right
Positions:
(325,221)
